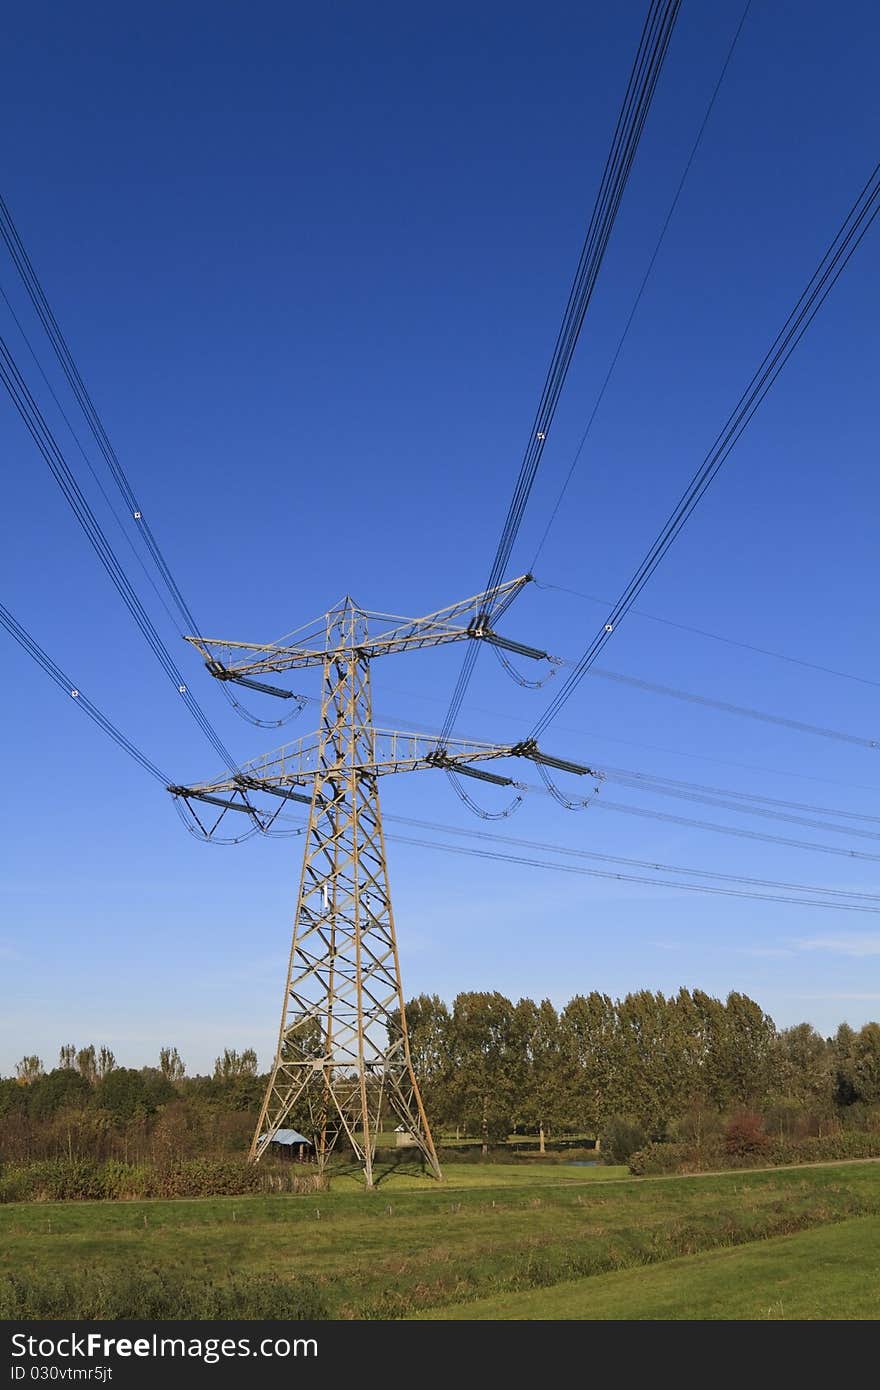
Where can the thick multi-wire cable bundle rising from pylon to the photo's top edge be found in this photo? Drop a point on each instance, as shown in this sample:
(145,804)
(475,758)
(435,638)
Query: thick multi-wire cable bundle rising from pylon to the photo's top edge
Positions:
(630,123)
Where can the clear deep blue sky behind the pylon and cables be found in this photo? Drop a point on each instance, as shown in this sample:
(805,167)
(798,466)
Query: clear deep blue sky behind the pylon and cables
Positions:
(312,262)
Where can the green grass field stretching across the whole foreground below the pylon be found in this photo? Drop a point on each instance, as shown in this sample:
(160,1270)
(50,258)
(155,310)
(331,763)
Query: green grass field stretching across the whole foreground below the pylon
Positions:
(498,1242)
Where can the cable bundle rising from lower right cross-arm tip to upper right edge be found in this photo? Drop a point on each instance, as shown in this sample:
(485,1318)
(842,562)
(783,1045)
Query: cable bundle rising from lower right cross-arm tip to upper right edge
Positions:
(826,275)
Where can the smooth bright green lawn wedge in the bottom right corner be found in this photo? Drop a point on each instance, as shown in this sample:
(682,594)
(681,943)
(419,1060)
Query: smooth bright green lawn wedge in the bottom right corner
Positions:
(826,1274)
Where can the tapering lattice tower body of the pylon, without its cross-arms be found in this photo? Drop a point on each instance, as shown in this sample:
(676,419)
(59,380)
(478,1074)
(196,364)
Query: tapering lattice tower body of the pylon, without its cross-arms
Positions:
(339,1046)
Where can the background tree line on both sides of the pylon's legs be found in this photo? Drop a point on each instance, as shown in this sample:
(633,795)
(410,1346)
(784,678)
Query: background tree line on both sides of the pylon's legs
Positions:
(489,1067)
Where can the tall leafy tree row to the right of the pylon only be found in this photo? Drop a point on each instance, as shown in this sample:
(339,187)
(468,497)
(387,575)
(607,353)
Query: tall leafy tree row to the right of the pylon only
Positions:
(490,1065)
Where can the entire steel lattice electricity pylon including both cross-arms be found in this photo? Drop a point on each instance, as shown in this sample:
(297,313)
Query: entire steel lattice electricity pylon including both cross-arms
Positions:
(343,1045)
